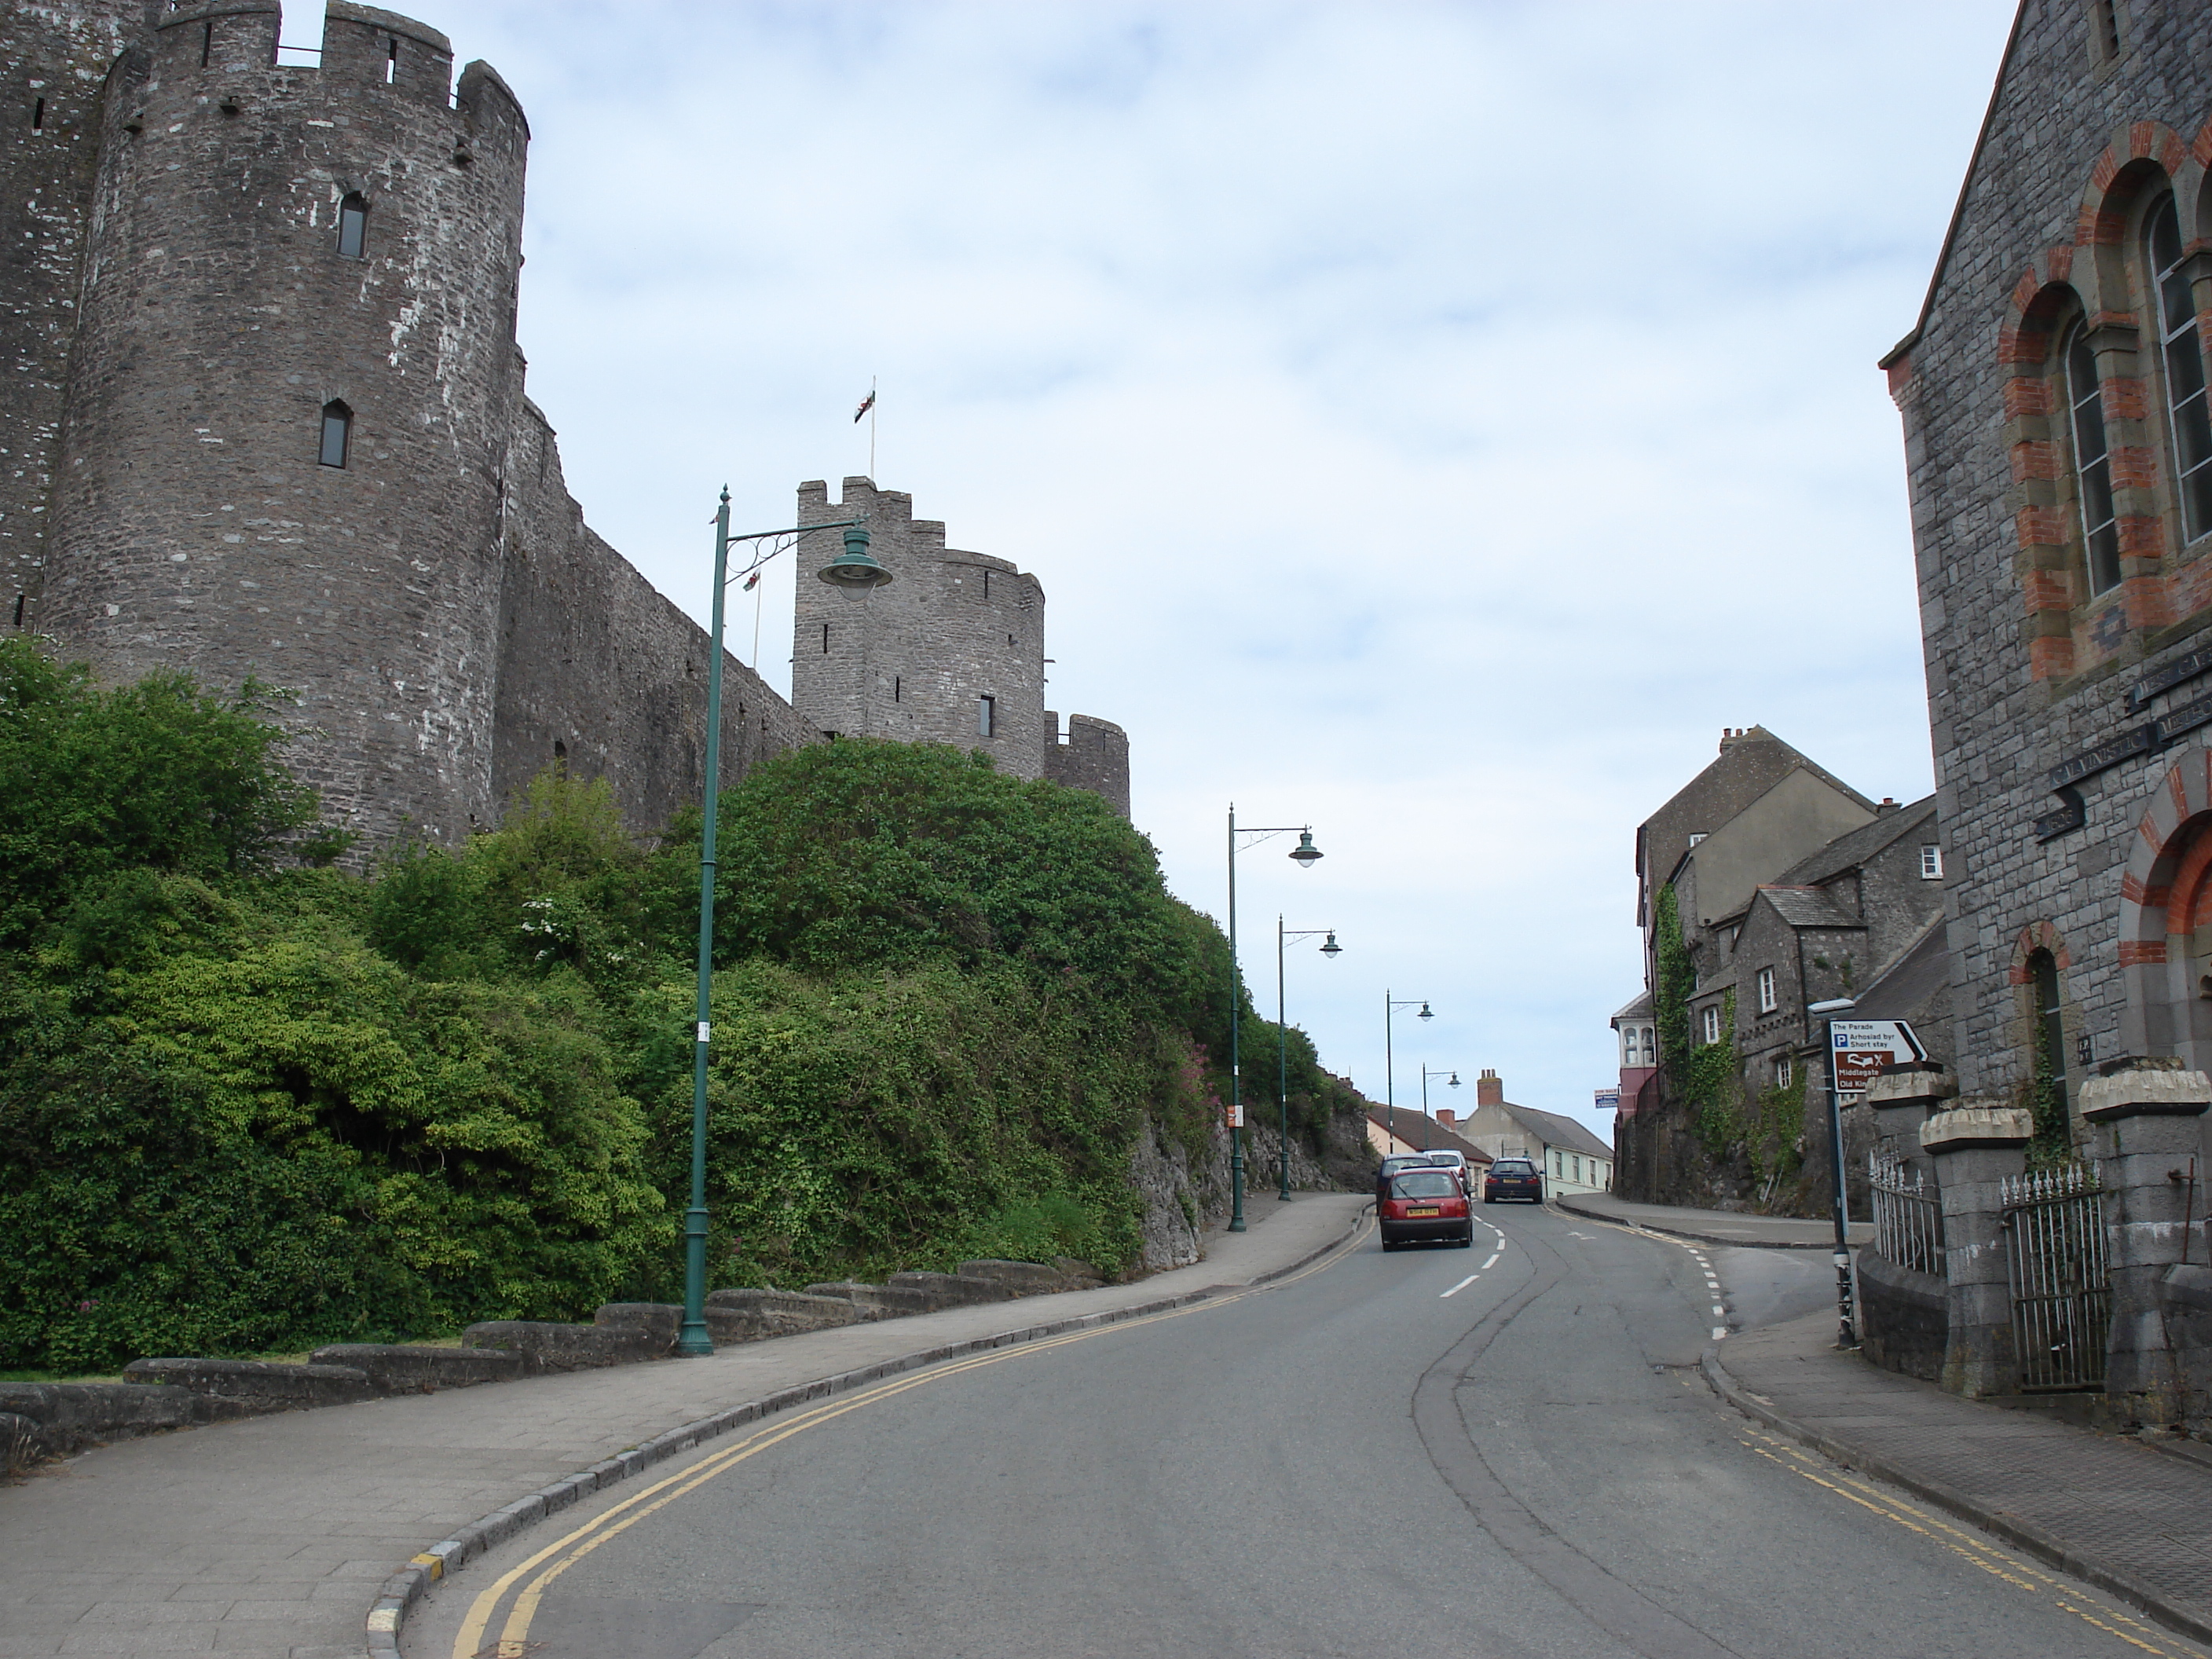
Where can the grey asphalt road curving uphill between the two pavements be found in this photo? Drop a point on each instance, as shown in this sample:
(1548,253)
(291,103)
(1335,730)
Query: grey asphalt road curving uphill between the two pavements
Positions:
(1437,1452)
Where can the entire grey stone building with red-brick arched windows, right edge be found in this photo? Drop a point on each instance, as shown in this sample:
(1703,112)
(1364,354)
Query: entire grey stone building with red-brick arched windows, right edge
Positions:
(2060,457)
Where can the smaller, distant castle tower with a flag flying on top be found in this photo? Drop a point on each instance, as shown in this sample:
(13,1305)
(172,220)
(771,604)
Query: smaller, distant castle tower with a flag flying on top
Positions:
(950,651)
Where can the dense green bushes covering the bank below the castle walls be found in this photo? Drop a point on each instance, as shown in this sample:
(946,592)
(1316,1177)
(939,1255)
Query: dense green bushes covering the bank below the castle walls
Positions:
(249,1100)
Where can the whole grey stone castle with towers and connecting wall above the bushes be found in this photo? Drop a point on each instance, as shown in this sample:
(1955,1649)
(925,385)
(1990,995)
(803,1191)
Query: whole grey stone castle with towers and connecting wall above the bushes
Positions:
(267,421)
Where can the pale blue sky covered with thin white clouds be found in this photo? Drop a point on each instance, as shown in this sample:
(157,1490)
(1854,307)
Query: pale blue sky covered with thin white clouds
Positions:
(1428,421)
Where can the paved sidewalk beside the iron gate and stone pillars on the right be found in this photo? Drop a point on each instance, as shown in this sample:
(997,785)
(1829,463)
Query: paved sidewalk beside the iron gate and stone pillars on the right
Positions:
(2120,1514)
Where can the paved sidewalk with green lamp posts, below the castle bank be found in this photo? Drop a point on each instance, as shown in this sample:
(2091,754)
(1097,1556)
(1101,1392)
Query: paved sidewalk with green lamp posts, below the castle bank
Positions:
(273,1536)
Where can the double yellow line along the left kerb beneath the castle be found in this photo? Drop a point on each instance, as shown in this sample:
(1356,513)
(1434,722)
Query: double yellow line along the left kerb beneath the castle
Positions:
(570,1550)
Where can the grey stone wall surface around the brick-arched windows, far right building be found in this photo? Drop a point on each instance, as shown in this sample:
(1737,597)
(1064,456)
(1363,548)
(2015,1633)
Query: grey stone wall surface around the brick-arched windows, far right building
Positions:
(2027,669)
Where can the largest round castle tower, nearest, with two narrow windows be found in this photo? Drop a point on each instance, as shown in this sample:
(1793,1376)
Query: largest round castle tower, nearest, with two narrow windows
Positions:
(293,390)
